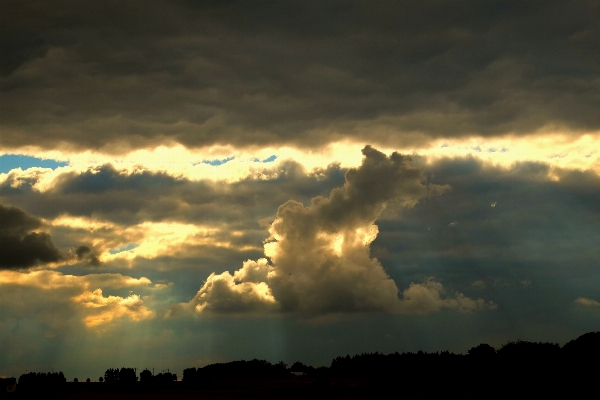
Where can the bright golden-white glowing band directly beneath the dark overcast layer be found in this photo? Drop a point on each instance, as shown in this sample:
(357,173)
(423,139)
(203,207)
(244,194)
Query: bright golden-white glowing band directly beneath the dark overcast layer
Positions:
(552,147)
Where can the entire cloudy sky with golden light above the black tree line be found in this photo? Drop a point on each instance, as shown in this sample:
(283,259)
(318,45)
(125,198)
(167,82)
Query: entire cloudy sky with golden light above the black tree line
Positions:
(184,183)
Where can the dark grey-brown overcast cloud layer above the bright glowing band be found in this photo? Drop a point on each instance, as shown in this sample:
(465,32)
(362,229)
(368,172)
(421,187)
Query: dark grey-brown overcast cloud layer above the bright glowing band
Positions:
(95,74)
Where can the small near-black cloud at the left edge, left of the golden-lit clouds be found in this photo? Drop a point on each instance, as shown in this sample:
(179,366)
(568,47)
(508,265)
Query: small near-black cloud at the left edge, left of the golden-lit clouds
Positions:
(20,248)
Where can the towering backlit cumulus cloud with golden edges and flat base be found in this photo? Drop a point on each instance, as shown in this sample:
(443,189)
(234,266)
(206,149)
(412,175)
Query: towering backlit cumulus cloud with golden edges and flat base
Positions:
(320,254)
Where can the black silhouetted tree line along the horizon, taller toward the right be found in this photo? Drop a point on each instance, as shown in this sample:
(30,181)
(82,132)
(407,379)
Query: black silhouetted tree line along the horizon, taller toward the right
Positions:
(518,368)
